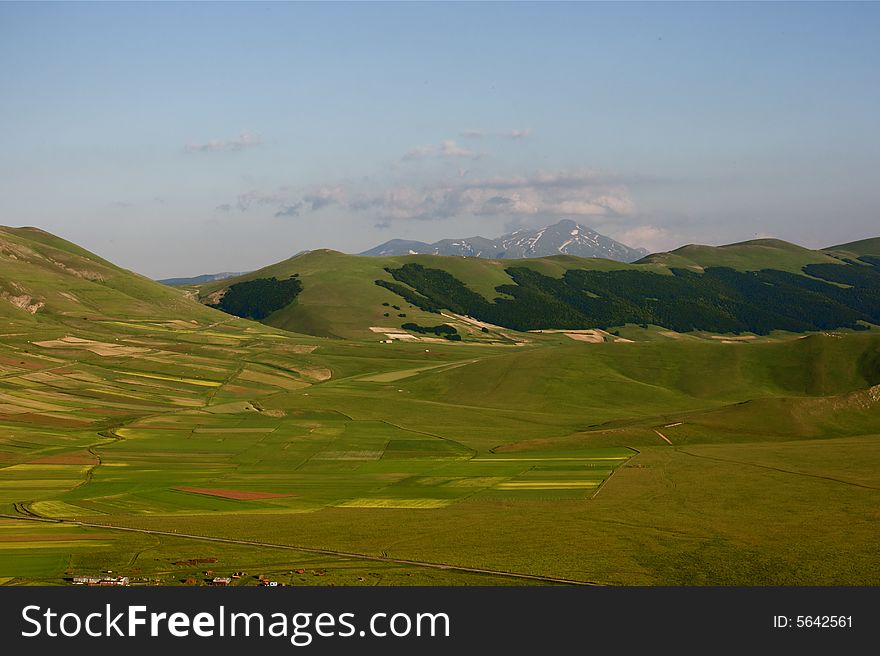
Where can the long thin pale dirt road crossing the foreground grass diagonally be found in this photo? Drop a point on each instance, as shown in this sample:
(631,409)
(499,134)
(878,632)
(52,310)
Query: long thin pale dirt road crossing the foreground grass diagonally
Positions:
(326,552)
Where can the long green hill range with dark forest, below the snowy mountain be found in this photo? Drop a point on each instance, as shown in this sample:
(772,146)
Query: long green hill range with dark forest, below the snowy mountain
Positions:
(757,286)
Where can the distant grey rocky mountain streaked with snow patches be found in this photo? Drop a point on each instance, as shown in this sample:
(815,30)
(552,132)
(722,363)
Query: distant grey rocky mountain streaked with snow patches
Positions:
(565,237)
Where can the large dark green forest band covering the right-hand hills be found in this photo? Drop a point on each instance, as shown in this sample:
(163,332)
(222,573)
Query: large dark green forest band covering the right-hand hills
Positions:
(719,299)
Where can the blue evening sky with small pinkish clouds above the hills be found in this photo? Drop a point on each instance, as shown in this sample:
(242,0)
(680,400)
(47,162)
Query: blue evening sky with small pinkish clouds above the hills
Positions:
(185,138)
